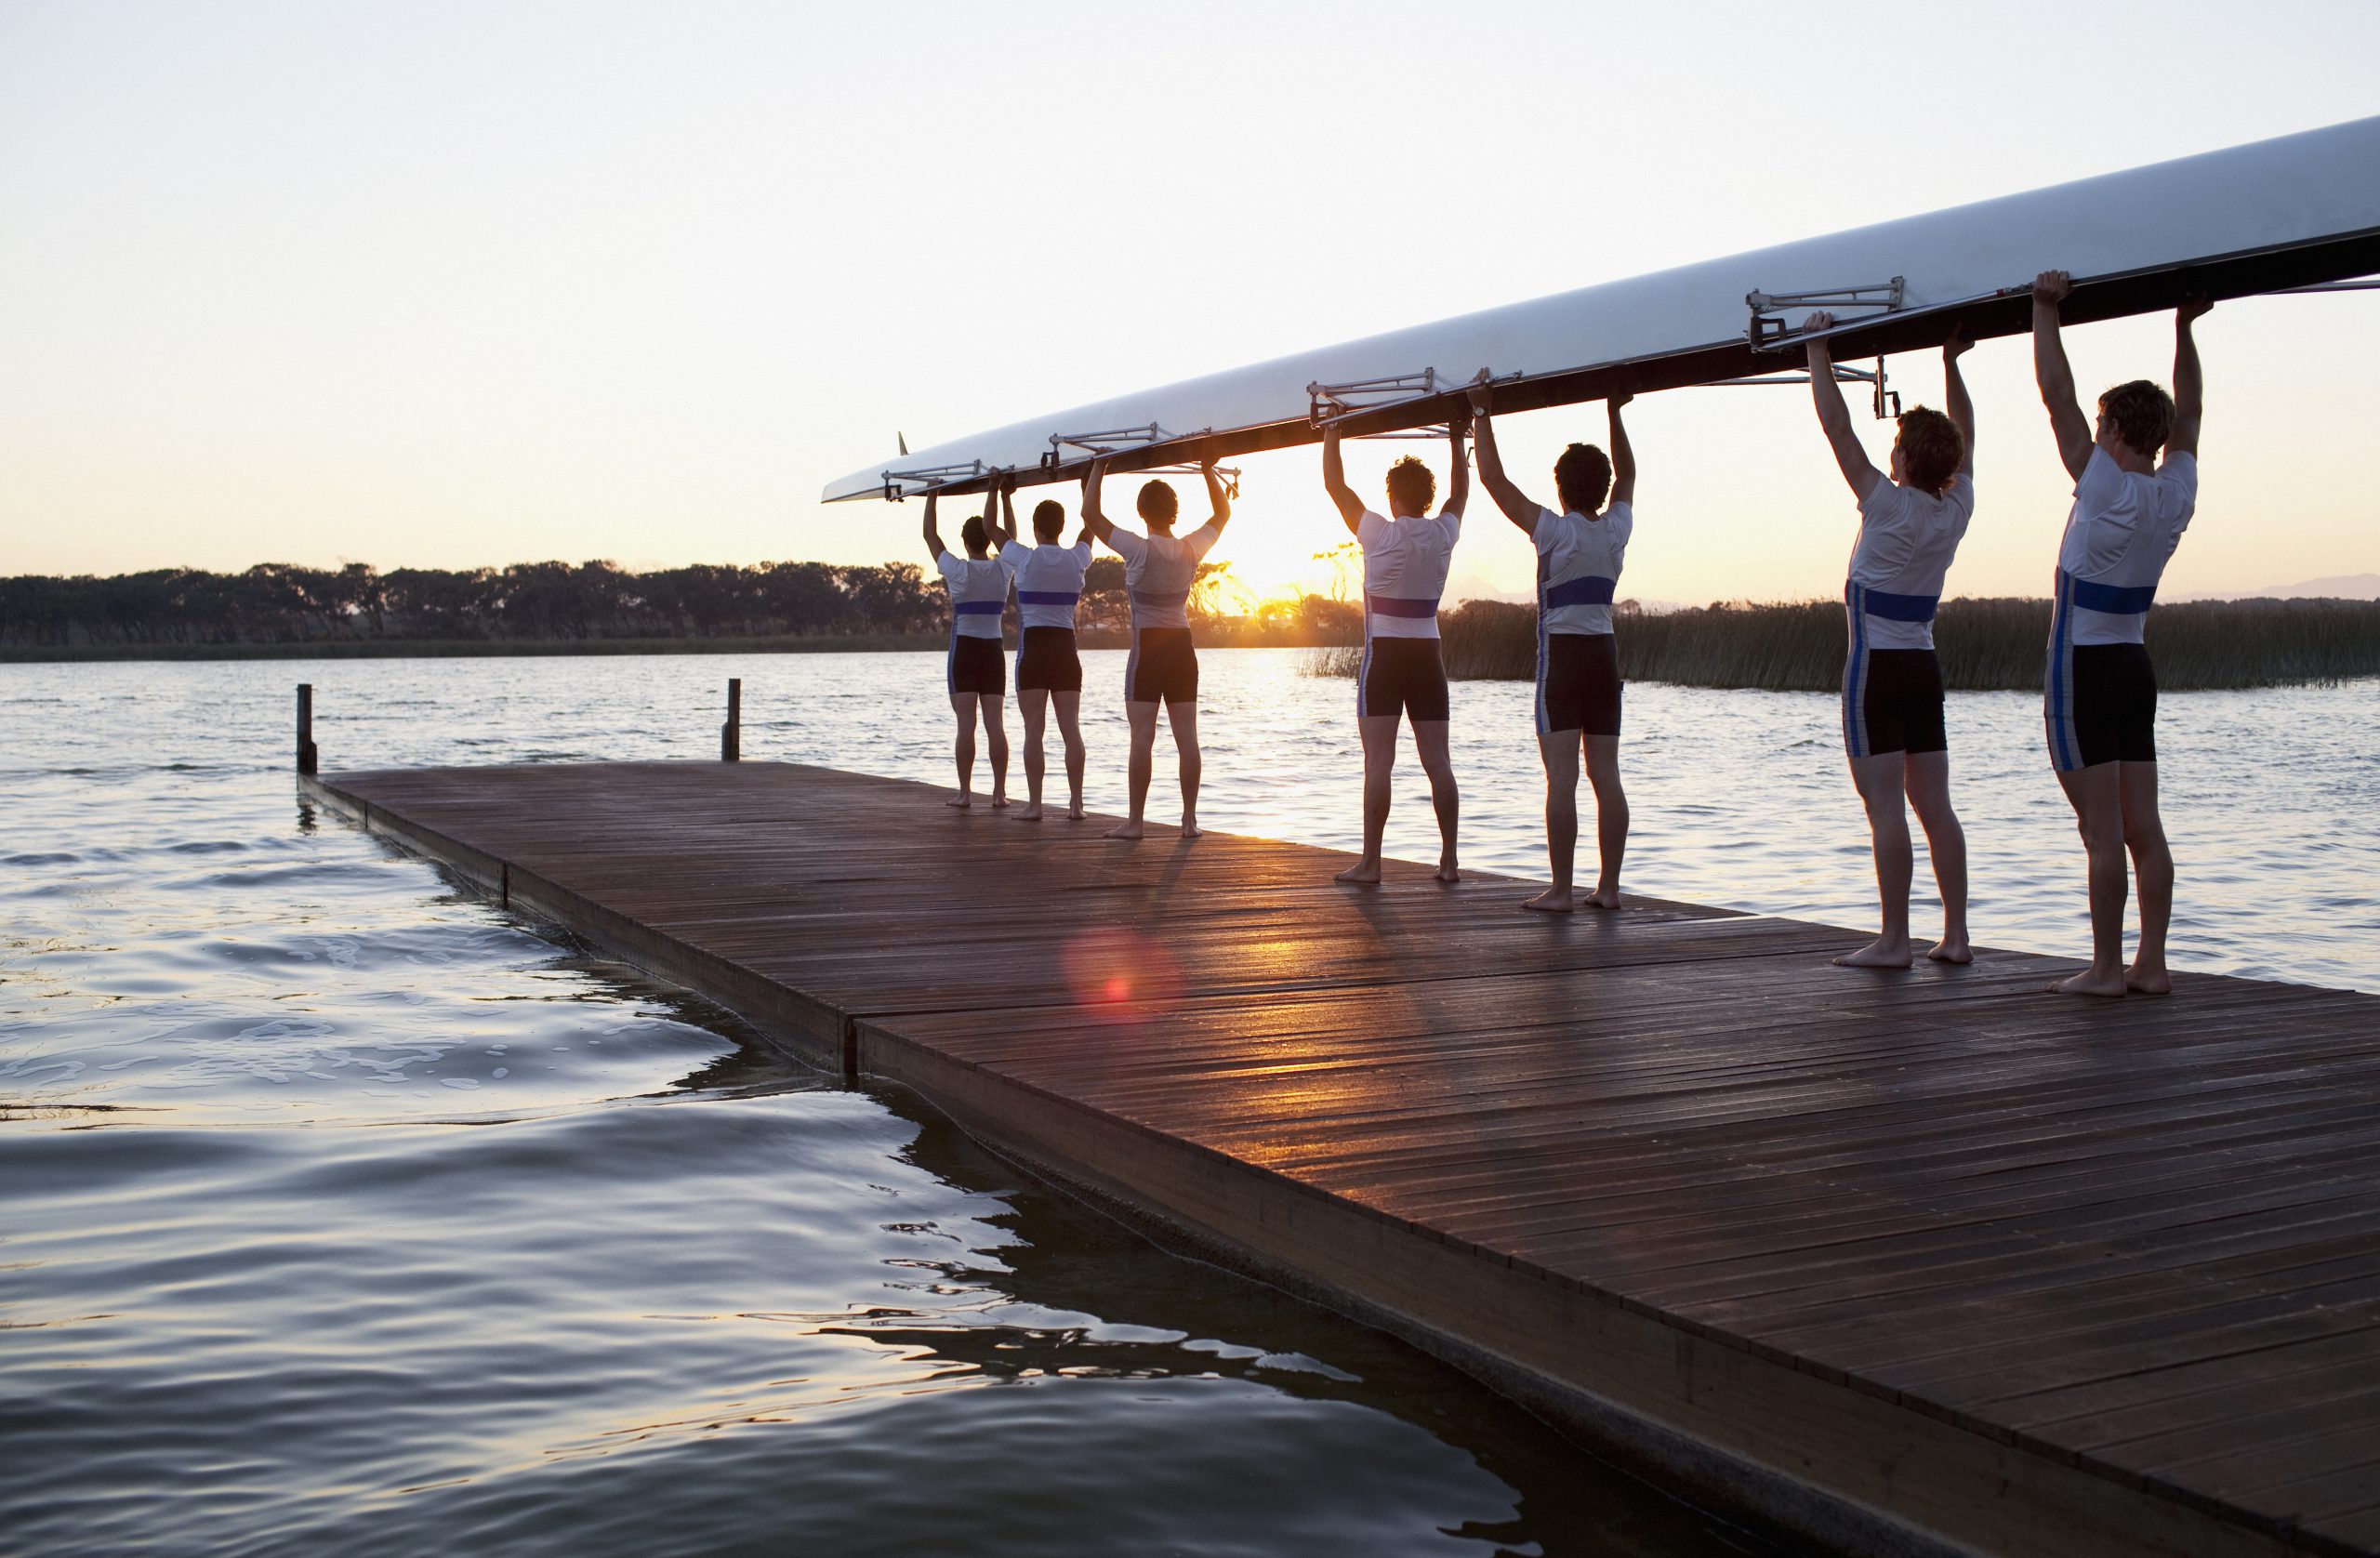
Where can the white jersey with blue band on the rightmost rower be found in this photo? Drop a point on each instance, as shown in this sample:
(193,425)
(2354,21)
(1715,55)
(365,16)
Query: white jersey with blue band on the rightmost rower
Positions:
(2119,539)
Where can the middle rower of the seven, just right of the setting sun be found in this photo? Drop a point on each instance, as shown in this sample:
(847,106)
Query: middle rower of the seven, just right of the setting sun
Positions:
(1403,674)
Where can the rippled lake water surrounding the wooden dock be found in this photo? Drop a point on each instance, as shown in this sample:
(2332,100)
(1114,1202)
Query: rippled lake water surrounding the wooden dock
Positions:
(344,1212)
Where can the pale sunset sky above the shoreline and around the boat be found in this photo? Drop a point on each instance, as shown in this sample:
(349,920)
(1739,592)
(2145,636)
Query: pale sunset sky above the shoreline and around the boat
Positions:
(475,284)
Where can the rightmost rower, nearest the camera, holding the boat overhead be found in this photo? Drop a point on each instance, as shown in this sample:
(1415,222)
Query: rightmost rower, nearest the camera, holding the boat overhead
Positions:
(2100,691)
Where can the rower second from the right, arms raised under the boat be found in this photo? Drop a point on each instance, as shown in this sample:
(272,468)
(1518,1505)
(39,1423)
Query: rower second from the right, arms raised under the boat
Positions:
(1893,712)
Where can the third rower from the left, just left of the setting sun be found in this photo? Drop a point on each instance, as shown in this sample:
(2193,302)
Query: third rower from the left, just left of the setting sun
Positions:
(1163,667)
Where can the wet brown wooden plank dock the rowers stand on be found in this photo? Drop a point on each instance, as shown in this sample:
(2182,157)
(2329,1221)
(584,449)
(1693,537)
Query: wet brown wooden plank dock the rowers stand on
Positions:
(1917,1262)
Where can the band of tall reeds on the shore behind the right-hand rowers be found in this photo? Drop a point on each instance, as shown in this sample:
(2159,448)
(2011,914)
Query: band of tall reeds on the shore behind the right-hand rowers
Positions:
(1986,646)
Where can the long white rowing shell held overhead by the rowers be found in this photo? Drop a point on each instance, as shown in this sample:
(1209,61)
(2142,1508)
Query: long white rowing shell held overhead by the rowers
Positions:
(2248,220)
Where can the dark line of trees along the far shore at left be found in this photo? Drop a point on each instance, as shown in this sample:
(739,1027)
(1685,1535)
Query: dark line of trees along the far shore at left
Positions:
(551,603)
